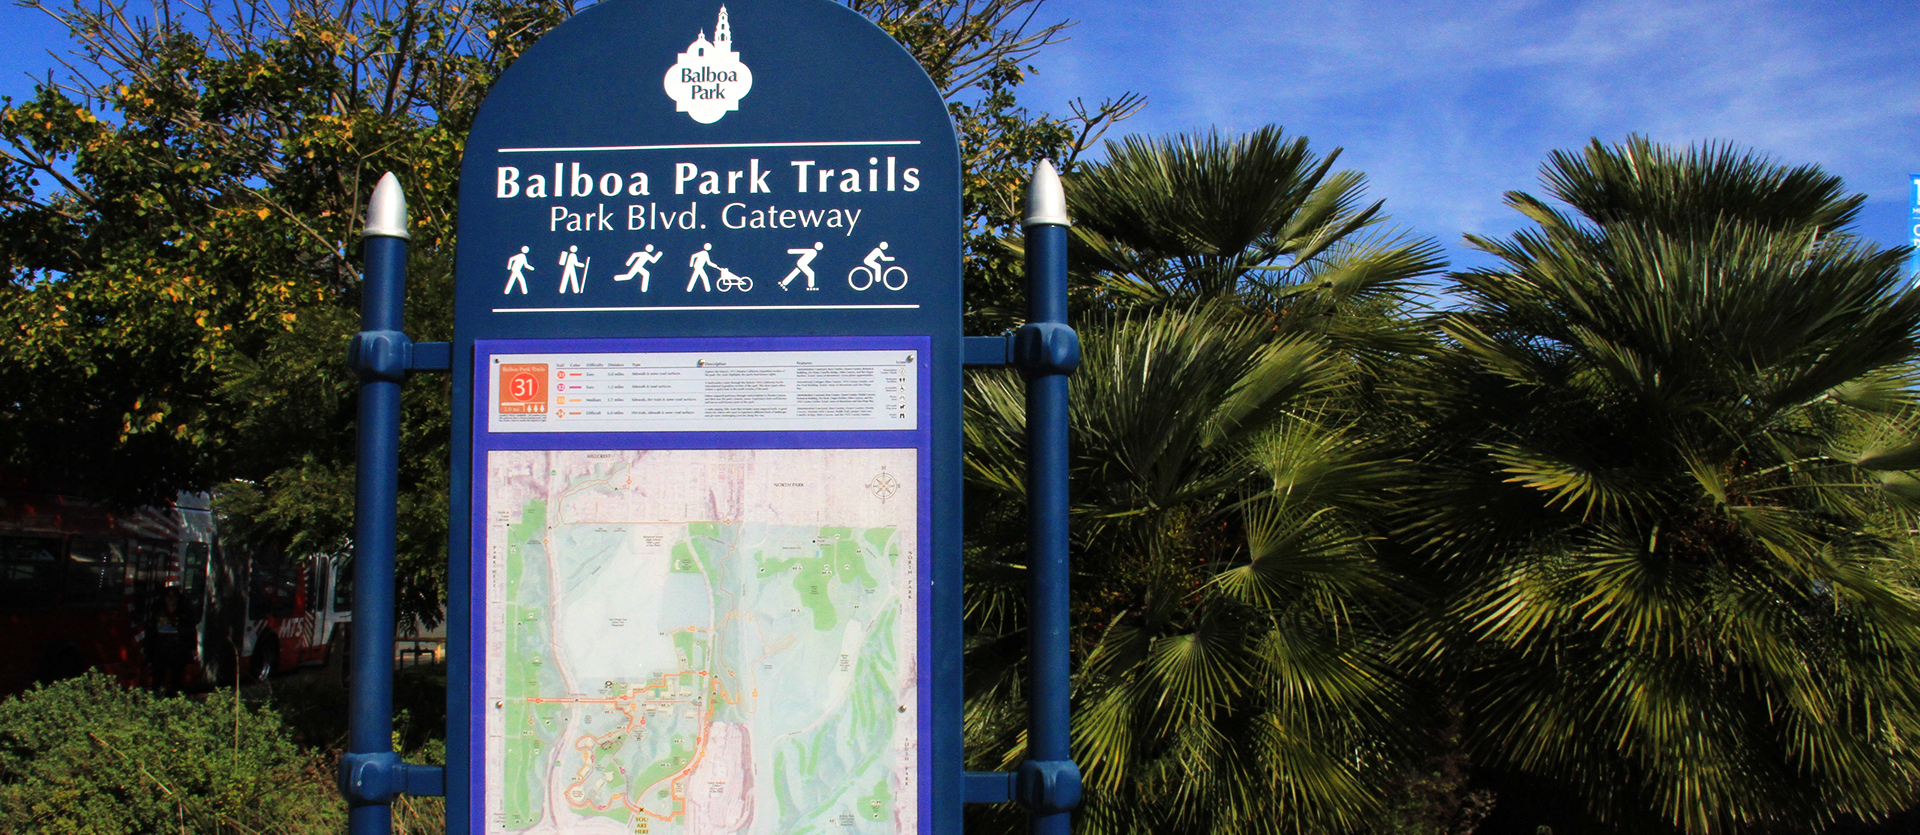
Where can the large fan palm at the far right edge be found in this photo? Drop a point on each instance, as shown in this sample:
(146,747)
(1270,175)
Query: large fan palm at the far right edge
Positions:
(1666,500)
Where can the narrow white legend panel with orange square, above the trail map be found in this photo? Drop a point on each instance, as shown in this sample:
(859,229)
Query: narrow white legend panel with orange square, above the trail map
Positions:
(706,393)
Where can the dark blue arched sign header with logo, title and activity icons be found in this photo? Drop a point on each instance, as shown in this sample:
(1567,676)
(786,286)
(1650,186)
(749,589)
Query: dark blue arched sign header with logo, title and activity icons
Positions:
(700,168)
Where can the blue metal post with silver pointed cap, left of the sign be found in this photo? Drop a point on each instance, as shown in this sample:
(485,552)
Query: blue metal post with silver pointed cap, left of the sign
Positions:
(379,356)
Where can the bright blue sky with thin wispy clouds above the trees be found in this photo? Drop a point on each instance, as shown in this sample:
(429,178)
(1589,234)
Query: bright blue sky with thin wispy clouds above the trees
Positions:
(1451,105)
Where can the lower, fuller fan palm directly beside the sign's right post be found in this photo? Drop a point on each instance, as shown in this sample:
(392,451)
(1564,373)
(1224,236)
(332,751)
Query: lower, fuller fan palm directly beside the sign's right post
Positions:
(1234,623)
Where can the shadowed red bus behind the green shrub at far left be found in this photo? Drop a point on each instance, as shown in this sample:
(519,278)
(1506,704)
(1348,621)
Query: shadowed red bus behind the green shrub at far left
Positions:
(87,588)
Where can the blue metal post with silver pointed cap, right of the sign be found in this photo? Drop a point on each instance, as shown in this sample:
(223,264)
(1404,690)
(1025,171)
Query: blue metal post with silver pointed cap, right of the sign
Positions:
(1047,350)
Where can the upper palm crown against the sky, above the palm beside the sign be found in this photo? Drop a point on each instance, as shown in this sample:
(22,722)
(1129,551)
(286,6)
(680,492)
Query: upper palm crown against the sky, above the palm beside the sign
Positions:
(1259,218)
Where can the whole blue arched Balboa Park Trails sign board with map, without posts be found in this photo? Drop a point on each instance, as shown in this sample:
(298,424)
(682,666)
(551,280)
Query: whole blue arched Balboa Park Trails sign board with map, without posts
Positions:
(708,433)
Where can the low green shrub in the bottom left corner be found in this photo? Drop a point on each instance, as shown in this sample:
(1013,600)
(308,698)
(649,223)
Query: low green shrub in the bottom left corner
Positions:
(93,757)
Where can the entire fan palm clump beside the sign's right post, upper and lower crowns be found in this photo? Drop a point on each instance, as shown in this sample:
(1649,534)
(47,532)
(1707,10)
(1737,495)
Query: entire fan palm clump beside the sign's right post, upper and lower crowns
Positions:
(1234,621)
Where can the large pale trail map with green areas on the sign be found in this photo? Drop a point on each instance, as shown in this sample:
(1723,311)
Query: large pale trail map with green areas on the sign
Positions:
(702,642)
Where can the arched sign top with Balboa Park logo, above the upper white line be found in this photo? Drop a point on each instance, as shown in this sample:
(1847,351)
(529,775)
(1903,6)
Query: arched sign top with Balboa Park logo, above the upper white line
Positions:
(773,70)
